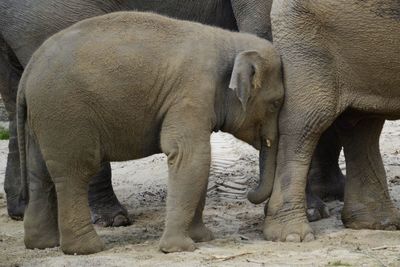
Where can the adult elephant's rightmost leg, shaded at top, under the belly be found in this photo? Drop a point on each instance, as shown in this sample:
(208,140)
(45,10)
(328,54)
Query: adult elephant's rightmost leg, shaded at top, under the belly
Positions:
(367,202)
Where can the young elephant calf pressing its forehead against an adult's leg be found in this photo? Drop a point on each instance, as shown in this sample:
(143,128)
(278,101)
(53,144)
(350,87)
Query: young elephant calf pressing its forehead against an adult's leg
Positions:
(128,85)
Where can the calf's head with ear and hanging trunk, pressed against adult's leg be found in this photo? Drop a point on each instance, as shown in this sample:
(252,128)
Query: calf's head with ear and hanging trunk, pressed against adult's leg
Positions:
(257,82)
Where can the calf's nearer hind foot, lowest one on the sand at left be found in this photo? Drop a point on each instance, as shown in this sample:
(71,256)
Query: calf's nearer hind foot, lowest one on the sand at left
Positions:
(87,243)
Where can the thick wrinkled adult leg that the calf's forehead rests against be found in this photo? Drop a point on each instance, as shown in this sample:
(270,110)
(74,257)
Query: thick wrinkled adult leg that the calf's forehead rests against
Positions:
(311,106)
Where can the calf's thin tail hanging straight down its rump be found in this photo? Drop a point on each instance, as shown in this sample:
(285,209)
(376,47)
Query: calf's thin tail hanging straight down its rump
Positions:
(21,121)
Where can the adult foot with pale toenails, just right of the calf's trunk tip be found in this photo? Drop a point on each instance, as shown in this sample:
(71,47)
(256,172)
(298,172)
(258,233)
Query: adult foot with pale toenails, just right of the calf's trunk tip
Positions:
(282,228)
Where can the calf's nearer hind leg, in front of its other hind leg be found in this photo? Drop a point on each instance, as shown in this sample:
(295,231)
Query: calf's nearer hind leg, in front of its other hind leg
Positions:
(71,177)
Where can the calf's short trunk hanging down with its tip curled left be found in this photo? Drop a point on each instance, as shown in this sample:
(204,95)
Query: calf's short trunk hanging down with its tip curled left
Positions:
(267,162)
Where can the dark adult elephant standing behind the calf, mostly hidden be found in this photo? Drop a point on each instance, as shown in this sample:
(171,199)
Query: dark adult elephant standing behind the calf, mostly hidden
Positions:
(24,25)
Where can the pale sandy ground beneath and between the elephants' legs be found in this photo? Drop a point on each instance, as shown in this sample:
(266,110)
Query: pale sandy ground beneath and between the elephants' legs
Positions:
(237,224)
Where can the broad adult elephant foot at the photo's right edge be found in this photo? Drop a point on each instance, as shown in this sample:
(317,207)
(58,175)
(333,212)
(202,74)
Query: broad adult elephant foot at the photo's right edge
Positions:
(376,216)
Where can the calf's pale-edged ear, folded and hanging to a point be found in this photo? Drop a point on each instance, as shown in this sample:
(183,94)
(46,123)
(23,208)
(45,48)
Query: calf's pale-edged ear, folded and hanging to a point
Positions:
(245,75)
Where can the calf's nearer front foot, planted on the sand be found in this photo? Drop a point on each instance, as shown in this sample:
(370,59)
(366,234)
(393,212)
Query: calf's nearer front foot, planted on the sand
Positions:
(176,243)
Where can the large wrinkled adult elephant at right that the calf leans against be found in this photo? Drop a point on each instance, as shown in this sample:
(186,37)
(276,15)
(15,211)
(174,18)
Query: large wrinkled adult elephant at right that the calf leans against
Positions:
(341,63)
